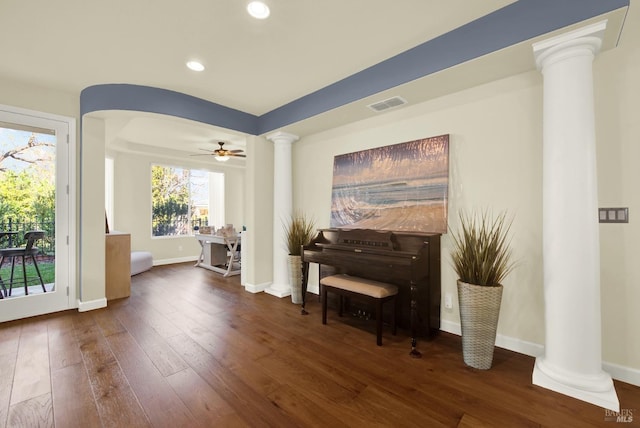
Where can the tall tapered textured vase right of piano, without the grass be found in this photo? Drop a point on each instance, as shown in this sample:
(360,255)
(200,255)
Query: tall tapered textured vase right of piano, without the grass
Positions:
(479,312)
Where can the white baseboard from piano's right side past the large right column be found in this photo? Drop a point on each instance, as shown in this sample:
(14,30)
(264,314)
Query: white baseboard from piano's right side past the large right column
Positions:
(618,372)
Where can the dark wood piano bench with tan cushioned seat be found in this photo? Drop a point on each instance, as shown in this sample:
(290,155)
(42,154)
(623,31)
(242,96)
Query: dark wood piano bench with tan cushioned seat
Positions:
(363,289)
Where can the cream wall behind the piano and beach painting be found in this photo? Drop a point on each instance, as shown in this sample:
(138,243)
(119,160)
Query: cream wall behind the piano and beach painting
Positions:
(495,154)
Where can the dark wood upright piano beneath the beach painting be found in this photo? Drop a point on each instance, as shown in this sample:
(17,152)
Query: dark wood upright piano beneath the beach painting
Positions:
(409,260)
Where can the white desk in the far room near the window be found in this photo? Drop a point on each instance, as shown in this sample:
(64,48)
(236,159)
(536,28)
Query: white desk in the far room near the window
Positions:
(218,254)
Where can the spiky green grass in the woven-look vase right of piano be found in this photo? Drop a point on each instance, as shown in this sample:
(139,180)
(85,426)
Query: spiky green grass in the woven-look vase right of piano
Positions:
(481,249)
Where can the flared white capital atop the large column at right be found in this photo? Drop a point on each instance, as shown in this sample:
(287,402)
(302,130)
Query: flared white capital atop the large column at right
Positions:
(587,39)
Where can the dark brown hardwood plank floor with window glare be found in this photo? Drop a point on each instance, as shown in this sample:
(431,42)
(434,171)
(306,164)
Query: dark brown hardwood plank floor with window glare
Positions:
(190,348)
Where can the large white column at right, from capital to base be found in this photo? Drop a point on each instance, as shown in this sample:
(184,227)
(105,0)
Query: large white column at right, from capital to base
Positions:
(572,360)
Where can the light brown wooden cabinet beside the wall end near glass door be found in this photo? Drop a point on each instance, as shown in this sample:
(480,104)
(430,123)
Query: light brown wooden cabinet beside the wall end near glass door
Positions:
(117,265)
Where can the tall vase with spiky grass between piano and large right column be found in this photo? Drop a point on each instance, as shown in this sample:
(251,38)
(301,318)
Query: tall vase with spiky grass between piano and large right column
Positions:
(481,258)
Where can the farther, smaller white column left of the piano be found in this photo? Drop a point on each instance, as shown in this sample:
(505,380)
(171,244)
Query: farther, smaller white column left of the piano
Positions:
(282,209)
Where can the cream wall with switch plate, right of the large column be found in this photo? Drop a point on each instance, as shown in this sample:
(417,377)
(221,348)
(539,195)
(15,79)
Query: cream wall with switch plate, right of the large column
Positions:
(617,95)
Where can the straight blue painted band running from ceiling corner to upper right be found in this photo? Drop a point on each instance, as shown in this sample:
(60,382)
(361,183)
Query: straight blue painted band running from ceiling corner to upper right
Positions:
(520,21)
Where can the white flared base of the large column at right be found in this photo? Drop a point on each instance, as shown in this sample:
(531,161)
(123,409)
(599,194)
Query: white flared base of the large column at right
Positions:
(600,391)
